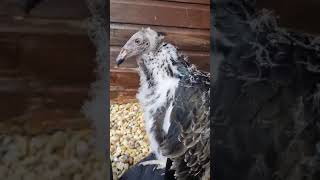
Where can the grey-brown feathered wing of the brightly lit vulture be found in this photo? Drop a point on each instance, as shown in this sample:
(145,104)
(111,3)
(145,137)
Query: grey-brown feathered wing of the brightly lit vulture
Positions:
(187,143)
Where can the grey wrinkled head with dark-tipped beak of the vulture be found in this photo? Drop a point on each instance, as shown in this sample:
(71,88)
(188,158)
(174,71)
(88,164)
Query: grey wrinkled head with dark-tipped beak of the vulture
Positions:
(143,41)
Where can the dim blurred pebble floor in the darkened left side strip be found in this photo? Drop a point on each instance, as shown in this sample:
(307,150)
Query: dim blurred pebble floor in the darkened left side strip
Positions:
(62,155)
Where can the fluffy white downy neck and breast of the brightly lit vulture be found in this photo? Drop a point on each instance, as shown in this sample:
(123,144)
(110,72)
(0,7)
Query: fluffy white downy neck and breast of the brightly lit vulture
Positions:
(156,94)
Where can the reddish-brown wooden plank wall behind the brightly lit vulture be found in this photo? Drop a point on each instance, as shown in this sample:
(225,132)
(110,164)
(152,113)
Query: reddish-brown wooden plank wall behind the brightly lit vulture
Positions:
(186,23)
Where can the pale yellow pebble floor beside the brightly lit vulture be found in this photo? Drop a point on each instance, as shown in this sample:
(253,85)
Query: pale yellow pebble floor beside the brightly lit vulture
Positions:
(128,139)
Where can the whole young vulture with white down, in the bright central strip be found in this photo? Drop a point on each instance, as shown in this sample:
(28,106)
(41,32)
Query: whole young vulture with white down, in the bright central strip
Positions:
(175,99)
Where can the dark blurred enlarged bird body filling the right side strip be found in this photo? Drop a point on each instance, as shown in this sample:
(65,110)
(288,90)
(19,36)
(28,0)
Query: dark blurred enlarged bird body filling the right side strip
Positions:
(265,104)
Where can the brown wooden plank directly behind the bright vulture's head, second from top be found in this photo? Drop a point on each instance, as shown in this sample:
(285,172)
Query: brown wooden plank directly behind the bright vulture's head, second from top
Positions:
(184,39)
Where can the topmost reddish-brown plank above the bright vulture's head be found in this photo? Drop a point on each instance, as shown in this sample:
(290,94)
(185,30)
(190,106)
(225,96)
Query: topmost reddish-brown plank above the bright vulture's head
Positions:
(160,13)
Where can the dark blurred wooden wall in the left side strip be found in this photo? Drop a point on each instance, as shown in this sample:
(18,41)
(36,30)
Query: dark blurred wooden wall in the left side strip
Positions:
(46,66)
